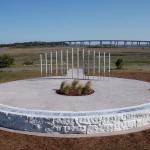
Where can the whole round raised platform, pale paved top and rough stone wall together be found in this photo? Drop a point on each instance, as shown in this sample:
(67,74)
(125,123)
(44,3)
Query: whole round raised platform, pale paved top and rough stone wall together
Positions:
(117,105)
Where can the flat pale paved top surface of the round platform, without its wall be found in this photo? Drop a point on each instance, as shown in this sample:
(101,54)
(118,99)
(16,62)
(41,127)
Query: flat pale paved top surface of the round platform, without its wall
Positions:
(40,94)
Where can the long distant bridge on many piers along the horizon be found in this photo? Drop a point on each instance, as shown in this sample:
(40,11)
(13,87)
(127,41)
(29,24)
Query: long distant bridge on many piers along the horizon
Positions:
(103,43)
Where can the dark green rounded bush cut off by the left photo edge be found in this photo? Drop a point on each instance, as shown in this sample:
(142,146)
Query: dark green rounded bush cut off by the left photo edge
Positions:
(6,61)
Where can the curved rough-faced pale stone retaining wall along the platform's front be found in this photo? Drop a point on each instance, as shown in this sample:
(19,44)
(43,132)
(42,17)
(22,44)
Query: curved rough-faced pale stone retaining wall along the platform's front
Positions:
(74,122)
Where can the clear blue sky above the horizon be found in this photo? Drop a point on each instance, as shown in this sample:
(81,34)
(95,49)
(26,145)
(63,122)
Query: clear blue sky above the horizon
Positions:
(58,20)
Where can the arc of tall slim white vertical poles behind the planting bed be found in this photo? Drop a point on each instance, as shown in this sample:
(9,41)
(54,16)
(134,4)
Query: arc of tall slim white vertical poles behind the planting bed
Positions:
(85,62)
